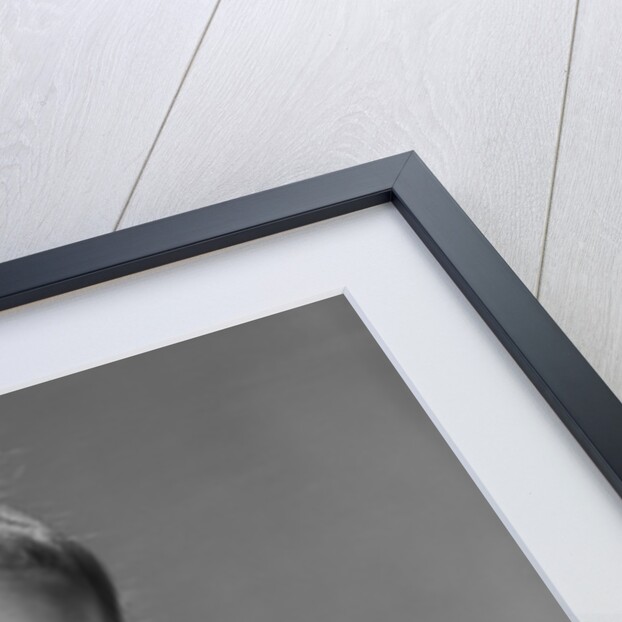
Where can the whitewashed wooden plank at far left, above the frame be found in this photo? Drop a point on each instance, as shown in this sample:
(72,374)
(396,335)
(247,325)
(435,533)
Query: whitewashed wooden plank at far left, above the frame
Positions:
(84,87)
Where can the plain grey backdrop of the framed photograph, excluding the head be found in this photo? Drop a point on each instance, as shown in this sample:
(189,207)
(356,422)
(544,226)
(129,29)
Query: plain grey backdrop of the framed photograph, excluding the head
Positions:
(276,471)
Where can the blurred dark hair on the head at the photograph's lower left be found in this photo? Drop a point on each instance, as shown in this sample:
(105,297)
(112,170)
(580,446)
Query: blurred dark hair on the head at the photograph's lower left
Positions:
(29,546)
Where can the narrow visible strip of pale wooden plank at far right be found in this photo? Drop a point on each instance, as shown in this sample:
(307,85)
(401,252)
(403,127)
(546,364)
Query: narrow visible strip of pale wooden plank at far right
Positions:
(582,275)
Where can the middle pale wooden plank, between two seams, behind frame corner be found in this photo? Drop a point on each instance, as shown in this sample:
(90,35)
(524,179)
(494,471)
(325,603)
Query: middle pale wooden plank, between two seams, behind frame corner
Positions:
(280,92)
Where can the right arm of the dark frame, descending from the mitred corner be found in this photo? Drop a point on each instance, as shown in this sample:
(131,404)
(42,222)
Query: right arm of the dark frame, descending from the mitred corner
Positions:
(569,384)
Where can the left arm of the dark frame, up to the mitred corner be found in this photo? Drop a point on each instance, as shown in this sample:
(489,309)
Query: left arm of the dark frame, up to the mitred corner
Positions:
(120,253)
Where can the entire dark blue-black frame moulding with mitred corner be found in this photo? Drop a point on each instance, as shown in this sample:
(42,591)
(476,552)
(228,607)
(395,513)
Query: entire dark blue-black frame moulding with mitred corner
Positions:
(581,399)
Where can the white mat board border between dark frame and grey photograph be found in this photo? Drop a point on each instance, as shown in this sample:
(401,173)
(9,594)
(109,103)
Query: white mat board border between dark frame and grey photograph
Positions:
(549,494)
